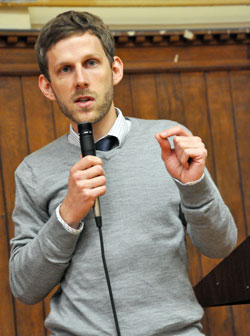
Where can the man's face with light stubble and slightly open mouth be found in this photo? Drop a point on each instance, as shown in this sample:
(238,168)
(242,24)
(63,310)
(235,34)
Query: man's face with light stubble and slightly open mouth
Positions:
(81,78)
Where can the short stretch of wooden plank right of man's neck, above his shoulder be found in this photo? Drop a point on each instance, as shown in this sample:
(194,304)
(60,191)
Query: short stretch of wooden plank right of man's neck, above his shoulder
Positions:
(122,96)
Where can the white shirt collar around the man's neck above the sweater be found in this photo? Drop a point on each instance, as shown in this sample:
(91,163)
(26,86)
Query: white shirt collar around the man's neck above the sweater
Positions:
(120,129)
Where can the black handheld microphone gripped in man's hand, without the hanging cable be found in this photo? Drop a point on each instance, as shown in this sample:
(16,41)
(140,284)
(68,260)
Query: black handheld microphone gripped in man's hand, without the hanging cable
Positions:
(88,148)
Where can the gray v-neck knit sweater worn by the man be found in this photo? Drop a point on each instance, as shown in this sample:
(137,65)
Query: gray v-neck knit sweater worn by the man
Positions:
(143,235)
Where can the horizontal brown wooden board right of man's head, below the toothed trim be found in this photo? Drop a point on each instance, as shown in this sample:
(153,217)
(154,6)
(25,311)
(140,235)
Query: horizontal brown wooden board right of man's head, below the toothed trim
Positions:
(175,56)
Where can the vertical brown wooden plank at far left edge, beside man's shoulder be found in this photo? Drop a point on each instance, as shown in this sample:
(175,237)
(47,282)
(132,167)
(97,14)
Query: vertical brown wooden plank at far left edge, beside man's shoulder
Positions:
(12,128)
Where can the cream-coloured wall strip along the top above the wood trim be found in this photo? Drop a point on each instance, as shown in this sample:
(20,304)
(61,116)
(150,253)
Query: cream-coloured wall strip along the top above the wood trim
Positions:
(135,17)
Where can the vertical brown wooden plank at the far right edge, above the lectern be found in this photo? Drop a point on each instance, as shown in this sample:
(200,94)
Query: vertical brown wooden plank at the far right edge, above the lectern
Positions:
(240,86)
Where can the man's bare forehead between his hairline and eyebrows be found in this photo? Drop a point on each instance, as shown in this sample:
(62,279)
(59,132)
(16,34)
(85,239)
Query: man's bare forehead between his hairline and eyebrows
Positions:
(74,46)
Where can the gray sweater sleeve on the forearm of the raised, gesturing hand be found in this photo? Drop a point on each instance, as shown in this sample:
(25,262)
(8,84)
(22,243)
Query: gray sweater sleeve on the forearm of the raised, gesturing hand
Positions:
(210,224)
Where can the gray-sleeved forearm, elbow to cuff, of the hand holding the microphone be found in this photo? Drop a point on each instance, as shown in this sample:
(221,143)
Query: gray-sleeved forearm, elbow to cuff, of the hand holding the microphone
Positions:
(37,265)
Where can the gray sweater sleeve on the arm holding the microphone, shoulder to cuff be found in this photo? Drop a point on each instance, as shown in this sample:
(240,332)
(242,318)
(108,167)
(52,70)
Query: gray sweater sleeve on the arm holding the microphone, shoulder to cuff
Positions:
(41,249)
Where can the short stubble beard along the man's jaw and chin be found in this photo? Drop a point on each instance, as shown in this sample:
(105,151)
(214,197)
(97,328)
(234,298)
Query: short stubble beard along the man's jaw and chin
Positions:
(101,109)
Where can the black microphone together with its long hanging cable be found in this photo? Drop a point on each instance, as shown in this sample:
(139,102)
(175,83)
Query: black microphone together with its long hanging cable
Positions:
(88,148)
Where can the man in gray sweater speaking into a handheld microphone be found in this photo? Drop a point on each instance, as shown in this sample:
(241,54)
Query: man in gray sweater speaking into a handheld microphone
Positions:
(56,240)
